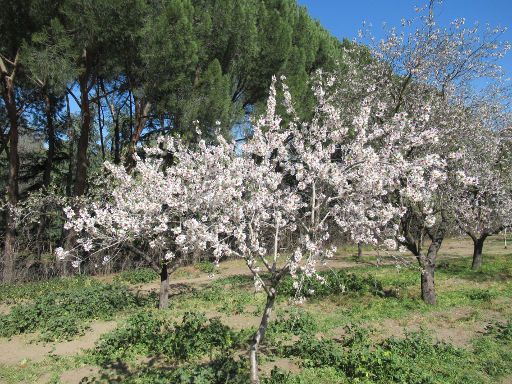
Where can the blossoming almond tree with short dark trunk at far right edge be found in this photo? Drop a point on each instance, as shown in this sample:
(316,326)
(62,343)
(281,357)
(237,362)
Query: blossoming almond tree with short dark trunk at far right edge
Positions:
(481,193)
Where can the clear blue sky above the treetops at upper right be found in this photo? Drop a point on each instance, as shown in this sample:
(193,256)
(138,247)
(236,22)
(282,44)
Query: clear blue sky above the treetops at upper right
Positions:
(345,18)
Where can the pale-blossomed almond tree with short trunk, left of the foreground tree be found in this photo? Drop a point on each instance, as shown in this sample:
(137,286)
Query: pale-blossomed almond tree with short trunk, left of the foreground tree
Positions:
(167,203)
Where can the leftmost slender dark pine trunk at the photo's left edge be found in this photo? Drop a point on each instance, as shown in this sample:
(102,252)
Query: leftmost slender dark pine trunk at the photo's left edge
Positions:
(12,183)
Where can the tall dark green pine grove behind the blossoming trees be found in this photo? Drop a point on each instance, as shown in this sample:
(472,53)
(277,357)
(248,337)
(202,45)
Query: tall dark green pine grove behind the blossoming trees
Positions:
(134,69)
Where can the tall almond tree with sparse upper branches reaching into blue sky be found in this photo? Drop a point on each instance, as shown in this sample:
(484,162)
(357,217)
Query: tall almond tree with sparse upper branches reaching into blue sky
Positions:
(424,67)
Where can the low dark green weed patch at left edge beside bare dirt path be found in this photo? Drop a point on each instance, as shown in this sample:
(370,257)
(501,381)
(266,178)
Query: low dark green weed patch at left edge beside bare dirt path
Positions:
(60,315)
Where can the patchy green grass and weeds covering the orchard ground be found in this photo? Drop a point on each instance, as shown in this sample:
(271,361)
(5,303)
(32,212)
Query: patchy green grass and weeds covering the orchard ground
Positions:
(366,325)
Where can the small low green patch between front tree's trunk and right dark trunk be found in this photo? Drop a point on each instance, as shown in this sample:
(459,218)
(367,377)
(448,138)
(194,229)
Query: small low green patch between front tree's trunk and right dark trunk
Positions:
(335,282)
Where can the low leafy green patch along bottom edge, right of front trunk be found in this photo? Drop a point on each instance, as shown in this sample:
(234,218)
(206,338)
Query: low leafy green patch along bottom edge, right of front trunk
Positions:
(415,359)
